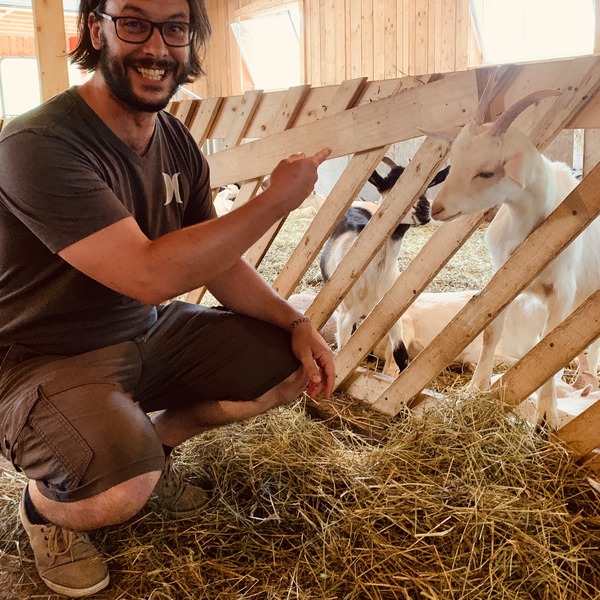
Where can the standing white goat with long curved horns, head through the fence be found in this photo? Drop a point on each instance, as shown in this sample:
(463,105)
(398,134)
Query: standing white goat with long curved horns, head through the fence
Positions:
(498,165)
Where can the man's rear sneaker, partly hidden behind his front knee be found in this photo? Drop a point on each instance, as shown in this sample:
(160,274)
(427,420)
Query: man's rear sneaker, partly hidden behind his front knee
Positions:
(175,498)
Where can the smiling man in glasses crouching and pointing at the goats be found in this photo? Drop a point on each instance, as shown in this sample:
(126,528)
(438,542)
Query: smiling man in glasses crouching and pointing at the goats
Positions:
(105,213)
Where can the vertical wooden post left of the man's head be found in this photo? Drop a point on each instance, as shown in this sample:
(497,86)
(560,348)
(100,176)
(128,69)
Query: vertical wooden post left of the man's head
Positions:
(51,46)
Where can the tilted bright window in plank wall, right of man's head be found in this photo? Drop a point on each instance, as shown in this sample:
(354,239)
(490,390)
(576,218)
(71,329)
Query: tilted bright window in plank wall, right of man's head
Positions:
(270,47)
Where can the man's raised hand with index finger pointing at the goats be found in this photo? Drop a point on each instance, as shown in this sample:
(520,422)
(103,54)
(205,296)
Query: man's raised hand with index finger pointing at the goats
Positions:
(294,178)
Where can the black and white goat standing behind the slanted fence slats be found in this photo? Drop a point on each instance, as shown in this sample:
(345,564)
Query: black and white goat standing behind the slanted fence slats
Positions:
(381,272)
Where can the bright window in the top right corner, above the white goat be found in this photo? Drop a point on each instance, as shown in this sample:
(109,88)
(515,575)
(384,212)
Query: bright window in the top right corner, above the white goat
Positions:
(528,30)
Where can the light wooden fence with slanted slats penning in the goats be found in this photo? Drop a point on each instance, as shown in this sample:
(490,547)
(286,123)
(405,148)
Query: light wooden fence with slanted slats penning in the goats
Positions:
(363,119)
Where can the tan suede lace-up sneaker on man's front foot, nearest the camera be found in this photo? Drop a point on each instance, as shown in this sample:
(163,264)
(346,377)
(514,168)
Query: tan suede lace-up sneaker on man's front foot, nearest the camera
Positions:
(66,560)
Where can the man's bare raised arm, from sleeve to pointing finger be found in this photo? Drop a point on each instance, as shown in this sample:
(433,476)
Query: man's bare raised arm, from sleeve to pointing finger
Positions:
(122,258)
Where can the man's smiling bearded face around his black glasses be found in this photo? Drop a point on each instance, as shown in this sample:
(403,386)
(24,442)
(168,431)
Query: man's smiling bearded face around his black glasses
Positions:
(144,76)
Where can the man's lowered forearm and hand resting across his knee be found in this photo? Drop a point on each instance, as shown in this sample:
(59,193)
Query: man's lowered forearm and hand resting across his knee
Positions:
(244,291)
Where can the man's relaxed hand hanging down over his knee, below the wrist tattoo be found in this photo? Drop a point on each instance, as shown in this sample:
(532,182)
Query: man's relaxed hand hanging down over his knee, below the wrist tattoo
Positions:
(316,357)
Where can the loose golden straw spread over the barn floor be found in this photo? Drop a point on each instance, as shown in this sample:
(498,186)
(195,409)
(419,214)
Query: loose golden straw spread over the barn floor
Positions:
(463,502)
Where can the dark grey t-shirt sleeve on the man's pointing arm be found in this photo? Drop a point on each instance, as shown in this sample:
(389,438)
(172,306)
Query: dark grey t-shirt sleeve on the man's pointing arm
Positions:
(51,187)
